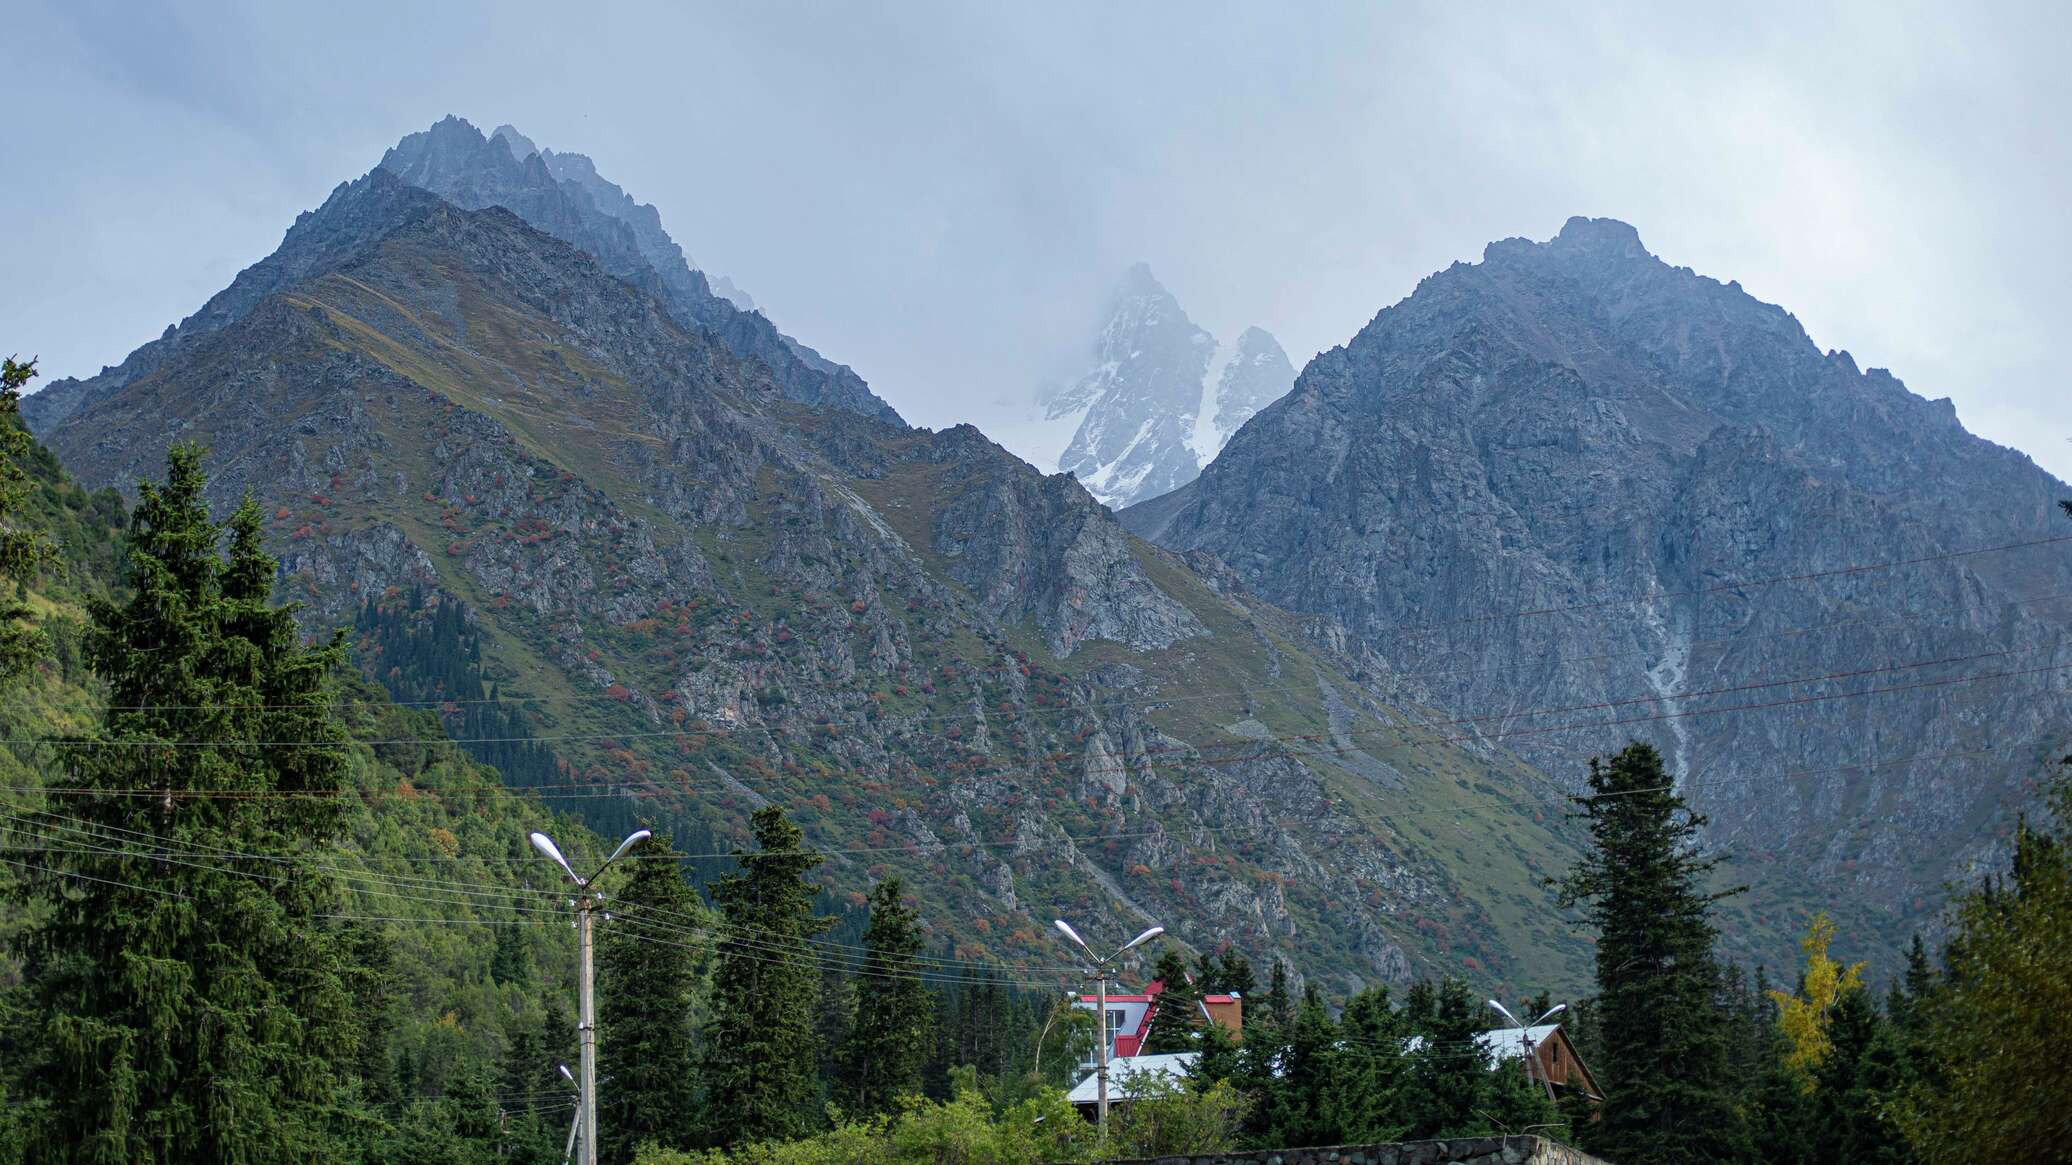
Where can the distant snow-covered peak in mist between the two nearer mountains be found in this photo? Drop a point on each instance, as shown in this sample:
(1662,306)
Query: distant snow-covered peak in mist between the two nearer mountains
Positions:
(1161,397)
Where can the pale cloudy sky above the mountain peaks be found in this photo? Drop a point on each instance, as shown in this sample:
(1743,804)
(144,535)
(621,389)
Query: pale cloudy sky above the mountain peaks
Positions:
(942,196)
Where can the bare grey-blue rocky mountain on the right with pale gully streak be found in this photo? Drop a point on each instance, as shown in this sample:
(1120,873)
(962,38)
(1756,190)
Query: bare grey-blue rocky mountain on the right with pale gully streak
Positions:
(1574,494)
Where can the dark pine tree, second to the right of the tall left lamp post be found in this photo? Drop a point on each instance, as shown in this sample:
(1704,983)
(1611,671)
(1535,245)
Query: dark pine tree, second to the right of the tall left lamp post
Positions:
(757,1071)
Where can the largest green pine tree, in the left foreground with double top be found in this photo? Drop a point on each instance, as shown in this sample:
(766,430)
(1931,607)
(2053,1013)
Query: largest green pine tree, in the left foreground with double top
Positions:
(188,967)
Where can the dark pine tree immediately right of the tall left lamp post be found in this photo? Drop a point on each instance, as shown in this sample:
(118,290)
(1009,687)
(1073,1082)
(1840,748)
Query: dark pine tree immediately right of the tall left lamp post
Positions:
(645,992)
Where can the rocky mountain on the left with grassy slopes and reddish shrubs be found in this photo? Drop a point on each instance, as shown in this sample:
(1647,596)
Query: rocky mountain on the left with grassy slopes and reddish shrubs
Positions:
(697,590)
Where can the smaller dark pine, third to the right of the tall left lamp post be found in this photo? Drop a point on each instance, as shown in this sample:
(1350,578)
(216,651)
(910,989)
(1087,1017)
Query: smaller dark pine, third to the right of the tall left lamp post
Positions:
(888,1046)
